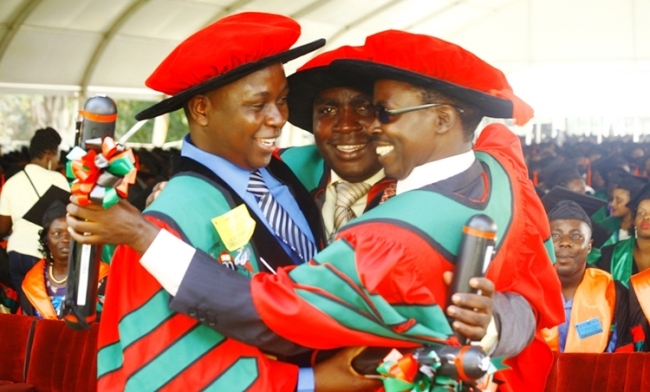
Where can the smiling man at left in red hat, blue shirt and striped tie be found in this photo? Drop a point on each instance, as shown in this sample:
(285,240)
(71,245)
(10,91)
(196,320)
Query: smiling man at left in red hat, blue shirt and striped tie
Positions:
(234,96)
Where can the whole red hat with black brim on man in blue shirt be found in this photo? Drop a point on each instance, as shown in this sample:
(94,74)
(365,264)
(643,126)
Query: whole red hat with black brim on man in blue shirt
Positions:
(222,53)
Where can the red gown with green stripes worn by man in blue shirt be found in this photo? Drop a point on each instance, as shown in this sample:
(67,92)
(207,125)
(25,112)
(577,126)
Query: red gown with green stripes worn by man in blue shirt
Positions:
(145,346)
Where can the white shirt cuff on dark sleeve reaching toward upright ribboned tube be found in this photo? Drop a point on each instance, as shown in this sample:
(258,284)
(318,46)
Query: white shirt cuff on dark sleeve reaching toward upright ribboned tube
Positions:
(167,259)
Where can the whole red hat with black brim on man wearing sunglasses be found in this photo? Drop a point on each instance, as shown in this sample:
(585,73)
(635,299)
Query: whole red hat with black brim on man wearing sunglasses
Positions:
(430,62)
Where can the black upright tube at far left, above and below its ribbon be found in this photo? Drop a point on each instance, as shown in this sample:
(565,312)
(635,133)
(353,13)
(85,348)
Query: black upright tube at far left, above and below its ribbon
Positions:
(79,308)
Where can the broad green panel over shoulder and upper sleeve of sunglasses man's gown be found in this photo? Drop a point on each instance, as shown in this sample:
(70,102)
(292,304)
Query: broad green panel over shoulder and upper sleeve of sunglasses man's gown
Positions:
(445,228)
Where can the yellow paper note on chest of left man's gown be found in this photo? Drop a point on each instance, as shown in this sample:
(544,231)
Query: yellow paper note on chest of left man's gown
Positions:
(235,227)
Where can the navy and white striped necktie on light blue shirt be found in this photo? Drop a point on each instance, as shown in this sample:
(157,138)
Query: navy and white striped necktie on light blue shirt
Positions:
(279,220)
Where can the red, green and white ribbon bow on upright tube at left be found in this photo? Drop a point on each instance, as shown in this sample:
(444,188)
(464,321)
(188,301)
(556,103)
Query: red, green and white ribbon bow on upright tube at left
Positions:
(103,174)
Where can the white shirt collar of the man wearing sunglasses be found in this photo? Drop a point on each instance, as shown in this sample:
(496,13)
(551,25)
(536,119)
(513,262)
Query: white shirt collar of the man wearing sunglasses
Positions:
(436,171)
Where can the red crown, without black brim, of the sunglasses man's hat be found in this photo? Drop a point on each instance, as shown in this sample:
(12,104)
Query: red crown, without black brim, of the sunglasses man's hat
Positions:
(438,59)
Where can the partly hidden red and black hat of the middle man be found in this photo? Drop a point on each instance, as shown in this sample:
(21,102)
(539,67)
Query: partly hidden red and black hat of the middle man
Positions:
(317,75)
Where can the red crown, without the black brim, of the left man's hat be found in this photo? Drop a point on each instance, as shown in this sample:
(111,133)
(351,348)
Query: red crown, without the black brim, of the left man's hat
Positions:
(221,47)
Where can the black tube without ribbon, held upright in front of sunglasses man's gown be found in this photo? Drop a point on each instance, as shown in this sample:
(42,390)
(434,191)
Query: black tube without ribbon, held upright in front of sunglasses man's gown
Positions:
(474,257)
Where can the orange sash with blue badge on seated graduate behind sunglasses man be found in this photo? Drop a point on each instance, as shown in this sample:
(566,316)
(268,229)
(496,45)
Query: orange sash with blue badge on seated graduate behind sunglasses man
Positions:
(594,298)
